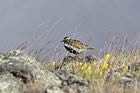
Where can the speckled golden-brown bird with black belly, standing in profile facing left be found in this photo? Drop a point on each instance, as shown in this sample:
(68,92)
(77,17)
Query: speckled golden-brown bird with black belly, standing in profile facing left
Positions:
(75,46)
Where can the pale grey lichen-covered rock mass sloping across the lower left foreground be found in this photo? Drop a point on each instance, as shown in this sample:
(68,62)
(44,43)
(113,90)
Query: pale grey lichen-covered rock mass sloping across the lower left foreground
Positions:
(20,73)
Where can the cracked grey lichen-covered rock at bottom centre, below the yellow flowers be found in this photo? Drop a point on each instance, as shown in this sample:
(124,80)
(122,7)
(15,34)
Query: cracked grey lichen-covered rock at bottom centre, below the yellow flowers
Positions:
(64,82)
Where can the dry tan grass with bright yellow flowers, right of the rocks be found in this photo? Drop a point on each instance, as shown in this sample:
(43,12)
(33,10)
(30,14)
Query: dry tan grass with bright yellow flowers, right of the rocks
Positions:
(110,73)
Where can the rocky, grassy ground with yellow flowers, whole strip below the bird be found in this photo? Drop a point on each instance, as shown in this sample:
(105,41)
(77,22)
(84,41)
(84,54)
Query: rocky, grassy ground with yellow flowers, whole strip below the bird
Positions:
(115,71)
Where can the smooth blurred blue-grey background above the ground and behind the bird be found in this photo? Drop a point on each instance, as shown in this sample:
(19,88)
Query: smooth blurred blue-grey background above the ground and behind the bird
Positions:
(48,21)
